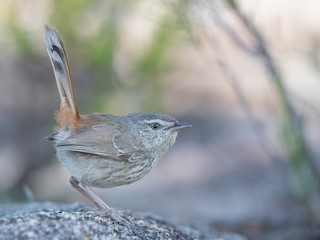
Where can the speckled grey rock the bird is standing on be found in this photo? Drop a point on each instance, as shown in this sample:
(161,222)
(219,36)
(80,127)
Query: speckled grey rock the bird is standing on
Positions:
(62,221)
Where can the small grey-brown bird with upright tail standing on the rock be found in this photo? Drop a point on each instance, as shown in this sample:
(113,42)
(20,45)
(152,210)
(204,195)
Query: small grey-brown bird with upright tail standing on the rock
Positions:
(102,150)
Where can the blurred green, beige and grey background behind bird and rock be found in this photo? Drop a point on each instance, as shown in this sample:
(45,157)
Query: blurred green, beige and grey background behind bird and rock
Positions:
(246,74)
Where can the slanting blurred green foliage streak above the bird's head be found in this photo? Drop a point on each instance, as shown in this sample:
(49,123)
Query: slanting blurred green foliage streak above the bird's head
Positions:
(157,58)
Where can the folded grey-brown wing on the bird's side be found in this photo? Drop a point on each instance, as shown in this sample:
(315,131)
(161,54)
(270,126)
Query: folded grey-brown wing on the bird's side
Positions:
(104,141)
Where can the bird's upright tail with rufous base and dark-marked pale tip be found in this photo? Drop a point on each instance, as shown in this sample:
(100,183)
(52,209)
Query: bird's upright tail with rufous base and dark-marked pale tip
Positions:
(69,113)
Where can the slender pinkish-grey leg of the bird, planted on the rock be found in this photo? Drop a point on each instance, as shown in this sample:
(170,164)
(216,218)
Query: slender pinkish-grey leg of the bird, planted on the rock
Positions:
(93,197)
